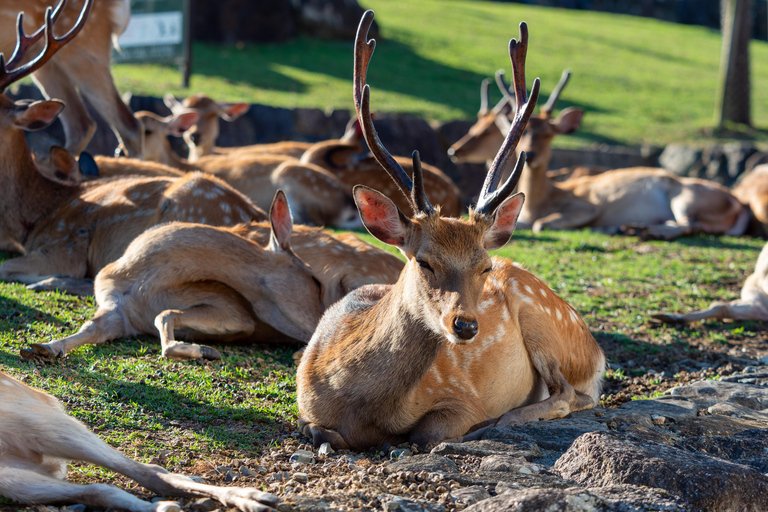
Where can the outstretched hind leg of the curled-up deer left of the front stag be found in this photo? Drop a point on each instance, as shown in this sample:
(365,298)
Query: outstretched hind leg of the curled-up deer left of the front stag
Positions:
(106,325)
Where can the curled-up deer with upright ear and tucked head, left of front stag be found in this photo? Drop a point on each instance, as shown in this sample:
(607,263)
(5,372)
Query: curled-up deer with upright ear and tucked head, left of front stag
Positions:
(219,284)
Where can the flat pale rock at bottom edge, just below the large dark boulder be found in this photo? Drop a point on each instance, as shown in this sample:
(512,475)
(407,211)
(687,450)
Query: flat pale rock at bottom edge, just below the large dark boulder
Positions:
(607,499)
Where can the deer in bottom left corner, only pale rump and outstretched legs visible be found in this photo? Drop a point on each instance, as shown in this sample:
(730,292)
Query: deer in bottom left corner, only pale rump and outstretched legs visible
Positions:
(37,438)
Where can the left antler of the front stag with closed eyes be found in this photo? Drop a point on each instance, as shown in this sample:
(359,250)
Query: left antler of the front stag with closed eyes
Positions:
(413,190)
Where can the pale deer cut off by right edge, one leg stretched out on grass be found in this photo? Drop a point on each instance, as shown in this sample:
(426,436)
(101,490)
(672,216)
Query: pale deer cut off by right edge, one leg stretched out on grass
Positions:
(753,304)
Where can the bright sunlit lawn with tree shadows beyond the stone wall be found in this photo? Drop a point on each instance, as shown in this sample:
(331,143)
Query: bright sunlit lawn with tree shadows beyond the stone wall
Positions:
(641,81)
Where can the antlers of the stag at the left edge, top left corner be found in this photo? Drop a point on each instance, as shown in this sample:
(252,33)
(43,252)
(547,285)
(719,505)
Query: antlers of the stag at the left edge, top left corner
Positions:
(52,45)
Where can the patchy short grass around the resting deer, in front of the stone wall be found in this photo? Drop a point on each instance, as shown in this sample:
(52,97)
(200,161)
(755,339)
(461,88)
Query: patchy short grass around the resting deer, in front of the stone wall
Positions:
(144,404)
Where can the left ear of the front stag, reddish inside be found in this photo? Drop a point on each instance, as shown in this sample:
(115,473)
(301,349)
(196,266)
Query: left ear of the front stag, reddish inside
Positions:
(381,217)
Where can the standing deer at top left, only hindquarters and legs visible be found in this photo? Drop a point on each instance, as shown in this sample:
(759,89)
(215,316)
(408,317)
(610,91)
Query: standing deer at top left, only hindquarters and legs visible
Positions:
(80,70)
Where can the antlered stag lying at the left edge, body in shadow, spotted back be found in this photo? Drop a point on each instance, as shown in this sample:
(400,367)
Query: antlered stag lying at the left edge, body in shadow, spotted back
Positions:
(69,229)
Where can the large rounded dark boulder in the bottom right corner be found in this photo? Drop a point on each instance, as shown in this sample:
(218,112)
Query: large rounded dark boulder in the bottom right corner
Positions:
(708,483)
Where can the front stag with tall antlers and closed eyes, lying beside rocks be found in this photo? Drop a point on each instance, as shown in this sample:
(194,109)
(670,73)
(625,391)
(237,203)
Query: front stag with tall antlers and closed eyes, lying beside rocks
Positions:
(461,340)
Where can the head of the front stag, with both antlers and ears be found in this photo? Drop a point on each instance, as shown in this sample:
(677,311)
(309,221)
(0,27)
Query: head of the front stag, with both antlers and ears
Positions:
(447,259)
